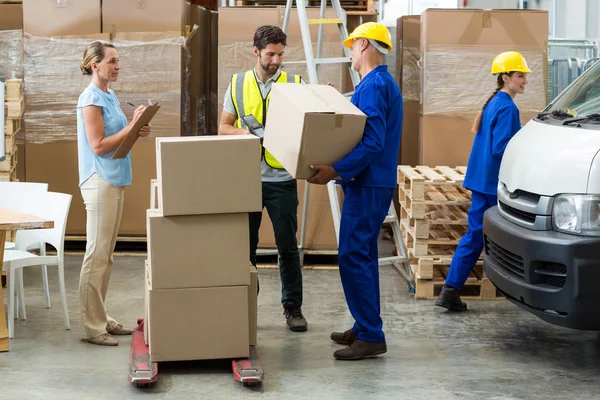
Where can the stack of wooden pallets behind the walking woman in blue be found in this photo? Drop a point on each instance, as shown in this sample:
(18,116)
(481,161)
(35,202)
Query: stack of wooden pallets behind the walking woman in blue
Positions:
(434,208)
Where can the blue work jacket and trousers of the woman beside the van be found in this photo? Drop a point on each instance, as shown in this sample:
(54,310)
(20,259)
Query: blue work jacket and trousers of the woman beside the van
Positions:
(500,122)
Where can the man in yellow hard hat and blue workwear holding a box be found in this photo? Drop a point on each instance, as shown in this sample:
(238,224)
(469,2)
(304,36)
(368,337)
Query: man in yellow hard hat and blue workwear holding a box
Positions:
(368,176)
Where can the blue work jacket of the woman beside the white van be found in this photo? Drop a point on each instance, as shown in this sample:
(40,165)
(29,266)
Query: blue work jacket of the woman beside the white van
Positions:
(499,123)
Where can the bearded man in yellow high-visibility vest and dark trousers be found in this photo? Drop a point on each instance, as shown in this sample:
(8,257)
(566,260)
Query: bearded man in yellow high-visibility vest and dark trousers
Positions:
(249,94)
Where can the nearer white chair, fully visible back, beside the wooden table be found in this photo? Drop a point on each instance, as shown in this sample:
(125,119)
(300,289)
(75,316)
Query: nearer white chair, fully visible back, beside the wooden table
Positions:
(51,206)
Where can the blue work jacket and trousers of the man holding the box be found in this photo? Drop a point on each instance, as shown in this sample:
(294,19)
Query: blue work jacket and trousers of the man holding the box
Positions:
(369,175)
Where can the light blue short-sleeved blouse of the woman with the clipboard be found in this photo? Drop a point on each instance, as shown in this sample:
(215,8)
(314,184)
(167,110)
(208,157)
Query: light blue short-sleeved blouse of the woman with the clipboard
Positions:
(116,172)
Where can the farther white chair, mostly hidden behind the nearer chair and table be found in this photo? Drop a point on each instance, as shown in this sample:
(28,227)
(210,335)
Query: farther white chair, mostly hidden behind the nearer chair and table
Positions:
(12,196)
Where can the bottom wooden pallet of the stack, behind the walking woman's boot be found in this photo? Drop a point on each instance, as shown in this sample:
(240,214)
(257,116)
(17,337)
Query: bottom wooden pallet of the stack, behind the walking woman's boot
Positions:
(474,289)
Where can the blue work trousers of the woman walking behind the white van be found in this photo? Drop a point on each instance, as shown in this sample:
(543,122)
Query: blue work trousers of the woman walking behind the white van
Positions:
(471,244)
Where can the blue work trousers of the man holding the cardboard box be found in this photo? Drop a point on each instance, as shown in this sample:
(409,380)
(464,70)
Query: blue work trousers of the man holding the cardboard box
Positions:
(363,214)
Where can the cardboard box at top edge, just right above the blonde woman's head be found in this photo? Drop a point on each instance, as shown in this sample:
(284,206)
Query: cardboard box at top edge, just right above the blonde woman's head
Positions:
(142,15)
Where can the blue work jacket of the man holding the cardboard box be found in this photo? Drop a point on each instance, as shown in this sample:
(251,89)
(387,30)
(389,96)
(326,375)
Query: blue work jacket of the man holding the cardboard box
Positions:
(374,161)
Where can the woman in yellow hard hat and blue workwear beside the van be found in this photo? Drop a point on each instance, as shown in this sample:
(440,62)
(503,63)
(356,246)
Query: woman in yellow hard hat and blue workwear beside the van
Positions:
(495,125)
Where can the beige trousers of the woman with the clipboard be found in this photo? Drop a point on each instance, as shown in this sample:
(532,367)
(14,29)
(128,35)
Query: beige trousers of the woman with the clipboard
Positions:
(104,205)
